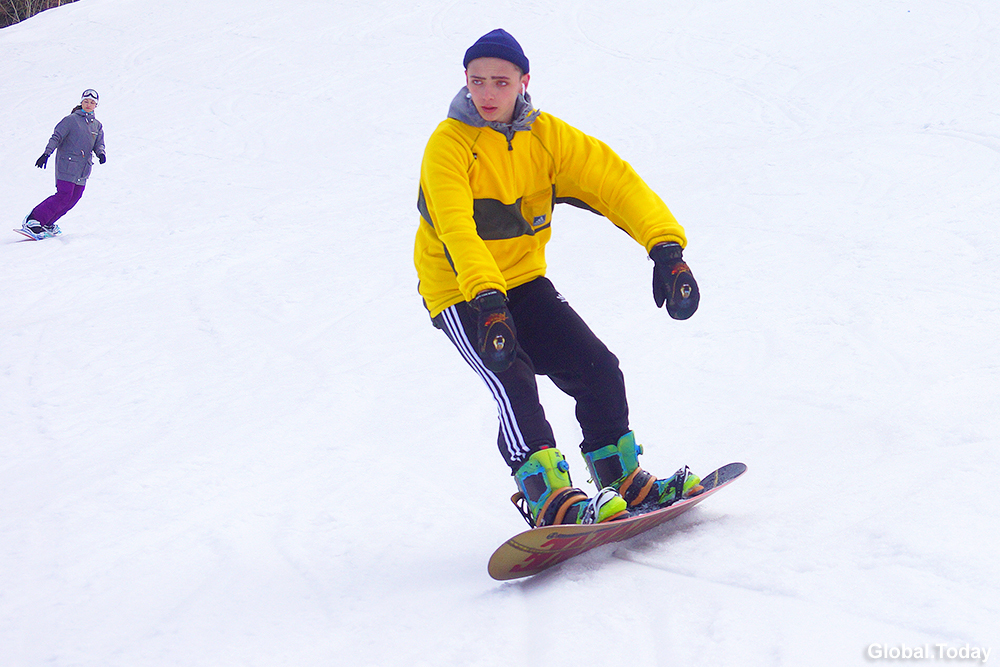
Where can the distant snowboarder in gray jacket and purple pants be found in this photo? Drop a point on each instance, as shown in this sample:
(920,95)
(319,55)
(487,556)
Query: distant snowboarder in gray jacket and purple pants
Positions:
(77,136)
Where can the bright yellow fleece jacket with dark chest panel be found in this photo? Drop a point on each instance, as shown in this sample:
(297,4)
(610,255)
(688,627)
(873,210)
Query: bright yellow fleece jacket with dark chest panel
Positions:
(486,204)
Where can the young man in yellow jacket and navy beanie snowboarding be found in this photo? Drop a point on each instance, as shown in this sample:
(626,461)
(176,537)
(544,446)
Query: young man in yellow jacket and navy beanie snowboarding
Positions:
(491,175)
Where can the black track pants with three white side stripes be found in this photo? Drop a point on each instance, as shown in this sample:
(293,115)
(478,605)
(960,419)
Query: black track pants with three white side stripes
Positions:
(552,340)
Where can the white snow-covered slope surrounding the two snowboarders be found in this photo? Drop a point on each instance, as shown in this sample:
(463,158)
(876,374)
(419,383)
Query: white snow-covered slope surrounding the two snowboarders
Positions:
(229,435)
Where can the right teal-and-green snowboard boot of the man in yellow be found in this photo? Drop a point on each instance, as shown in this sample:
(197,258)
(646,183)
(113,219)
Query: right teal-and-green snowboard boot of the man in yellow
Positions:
(617,466)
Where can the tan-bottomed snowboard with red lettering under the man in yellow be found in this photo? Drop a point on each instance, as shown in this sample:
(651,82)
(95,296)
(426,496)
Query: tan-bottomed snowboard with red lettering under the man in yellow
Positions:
(537,549)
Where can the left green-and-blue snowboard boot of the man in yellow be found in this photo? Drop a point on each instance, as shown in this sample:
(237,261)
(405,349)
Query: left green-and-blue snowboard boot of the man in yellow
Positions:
(546,497)
